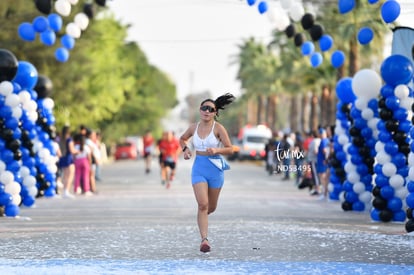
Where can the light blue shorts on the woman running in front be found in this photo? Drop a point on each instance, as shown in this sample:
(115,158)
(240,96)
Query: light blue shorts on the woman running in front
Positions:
(205,171)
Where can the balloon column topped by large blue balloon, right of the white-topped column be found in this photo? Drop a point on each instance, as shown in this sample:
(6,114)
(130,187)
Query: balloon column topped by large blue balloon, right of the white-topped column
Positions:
(393,140)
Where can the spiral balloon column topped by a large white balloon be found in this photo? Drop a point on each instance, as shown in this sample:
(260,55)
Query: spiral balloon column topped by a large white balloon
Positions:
(361,150)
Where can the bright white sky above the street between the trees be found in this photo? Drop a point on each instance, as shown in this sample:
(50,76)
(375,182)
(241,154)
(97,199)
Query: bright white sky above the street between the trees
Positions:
(195,42)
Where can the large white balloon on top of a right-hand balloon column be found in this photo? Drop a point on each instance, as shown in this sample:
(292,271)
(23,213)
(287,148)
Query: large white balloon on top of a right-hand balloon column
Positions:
(366,83)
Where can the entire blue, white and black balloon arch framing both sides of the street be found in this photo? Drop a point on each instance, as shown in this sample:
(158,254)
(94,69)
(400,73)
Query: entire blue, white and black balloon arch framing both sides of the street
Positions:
(373,133)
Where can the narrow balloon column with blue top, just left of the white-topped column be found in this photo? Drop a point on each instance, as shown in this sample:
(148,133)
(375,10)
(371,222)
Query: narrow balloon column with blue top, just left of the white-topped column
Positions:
(341,139)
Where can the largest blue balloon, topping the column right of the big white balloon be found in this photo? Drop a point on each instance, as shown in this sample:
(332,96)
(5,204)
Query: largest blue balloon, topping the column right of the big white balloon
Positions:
(397,69)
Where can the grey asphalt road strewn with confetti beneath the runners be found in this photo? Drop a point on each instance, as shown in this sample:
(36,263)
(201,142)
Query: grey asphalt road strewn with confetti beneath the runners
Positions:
(262,225)
